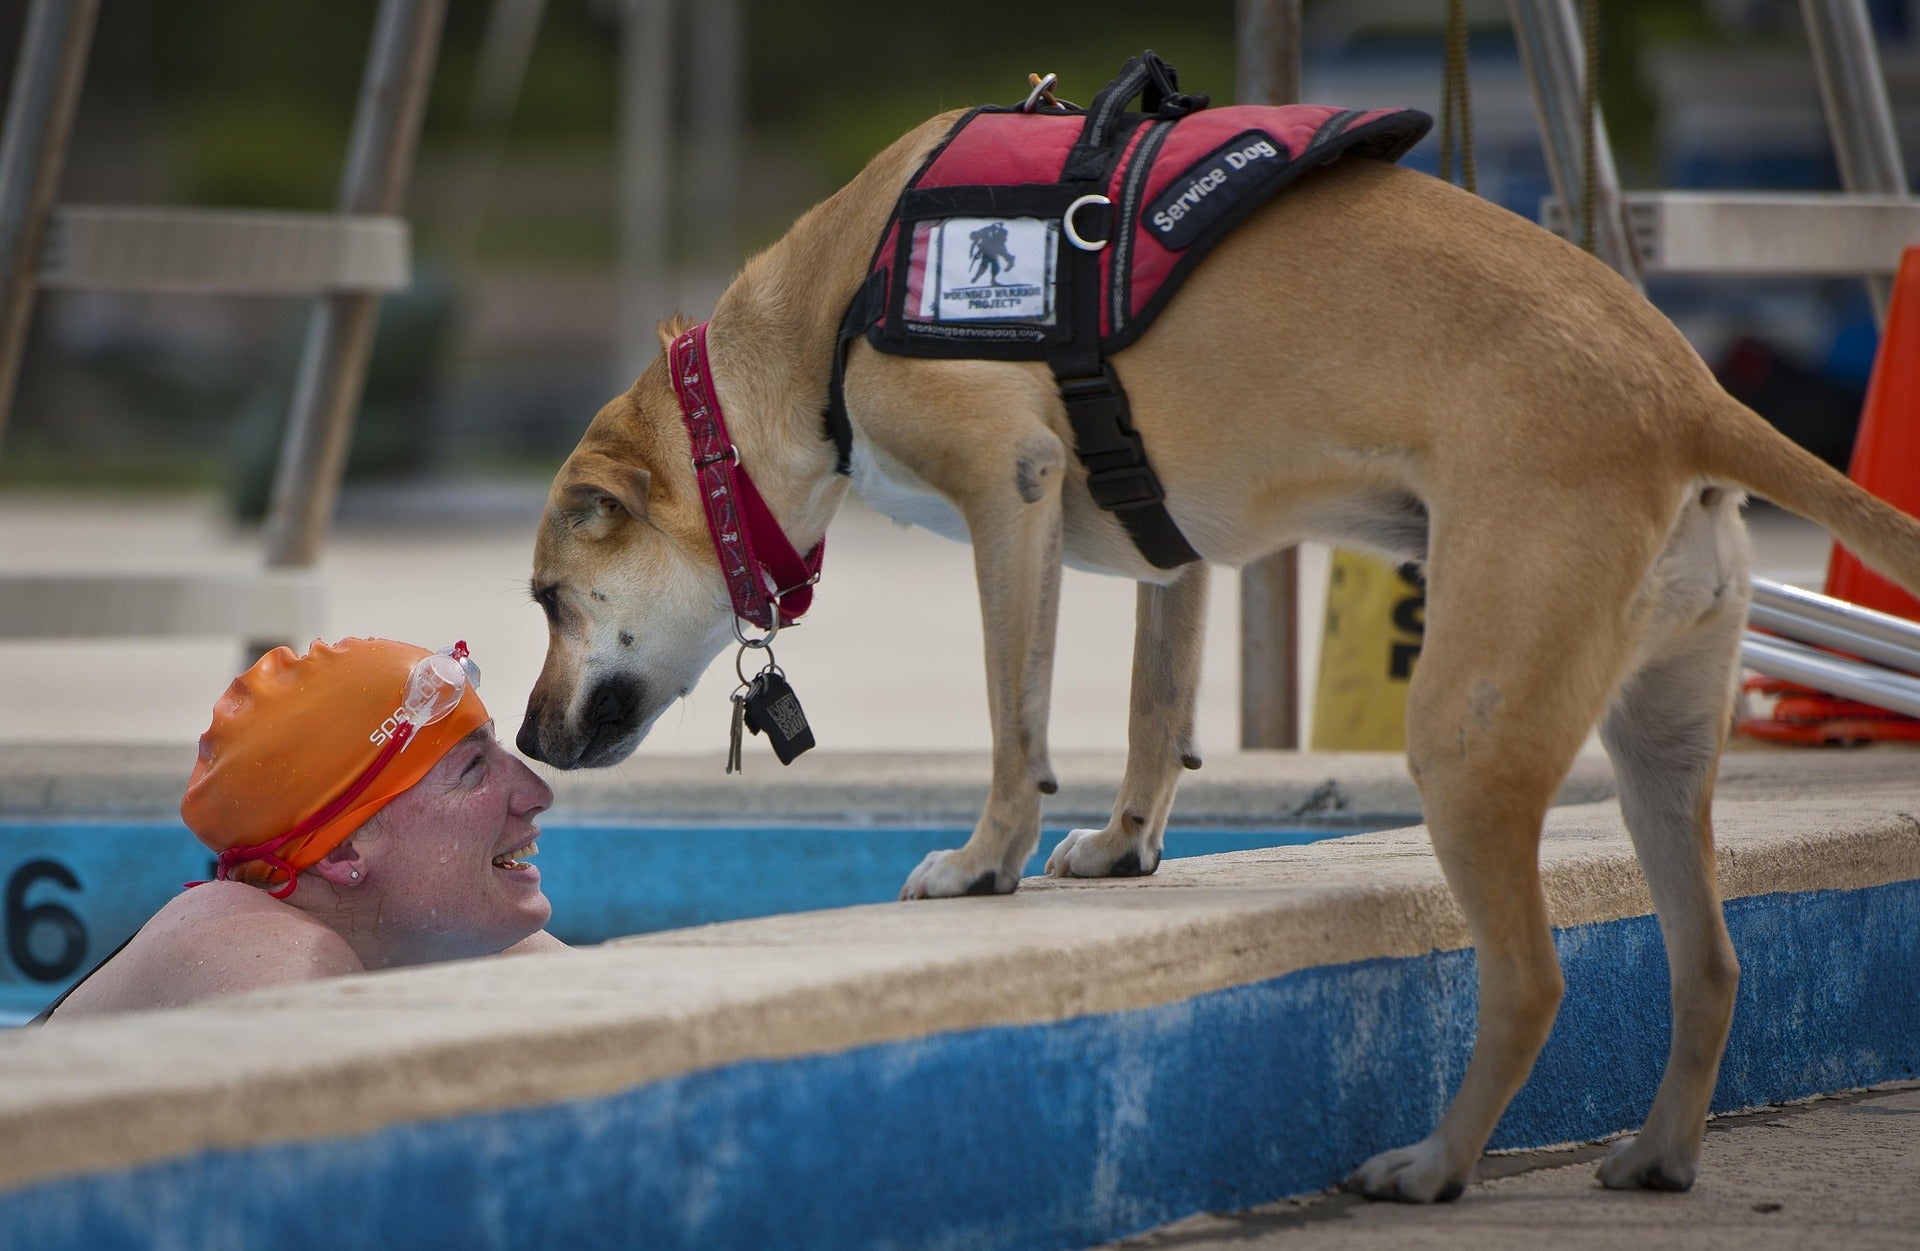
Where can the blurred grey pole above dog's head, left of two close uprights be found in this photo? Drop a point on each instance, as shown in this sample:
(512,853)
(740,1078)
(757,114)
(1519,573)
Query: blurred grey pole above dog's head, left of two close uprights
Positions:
(646,177)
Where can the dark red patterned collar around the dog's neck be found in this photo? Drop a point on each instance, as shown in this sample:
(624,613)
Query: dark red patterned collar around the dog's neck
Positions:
(767,578)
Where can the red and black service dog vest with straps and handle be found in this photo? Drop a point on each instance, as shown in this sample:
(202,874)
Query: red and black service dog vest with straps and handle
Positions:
(1051,233)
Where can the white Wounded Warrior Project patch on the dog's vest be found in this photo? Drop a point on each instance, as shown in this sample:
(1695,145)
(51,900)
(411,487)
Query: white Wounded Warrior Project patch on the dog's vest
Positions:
(986,270)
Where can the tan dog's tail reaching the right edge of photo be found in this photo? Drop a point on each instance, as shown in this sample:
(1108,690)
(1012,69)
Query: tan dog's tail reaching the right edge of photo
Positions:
(1740,446)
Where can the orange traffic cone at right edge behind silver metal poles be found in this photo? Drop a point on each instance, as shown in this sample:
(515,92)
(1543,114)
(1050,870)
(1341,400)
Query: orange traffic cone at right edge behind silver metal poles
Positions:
(1886,461)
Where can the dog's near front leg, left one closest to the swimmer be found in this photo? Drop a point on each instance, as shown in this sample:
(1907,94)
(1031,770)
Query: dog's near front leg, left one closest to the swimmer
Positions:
(1015,521)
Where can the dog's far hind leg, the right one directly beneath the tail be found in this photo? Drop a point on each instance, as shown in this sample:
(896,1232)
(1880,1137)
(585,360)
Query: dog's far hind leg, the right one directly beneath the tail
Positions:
(1666,732)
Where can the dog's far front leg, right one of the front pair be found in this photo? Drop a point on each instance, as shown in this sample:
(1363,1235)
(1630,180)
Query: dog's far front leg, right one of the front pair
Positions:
(1170,628)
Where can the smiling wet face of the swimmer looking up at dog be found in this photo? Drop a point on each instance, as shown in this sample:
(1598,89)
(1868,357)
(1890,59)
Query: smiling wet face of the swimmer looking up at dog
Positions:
(448,859)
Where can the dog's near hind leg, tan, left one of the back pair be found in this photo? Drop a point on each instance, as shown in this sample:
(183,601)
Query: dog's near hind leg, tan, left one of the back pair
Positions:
(1522,651)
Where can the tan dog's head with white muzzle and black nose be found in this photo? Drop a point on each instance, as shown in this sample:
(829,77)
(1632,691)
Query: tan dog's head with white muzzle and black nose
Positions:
(629,580)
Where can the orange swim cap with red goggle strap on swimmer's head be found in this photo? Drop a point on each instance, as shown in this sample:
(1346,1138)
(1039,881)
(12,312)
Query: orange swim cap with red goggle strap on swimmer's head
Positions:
(295,736)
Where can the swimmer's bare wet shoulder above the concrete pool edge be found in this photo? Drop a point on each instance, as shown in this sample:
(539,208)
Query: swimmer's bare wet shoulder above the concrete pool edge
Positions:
(216,939)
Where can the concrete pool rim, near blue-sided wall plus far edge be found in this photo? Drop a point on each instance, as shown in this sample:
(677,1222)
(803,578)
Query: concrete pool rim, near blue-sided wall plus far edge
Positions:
(1078,1062)
